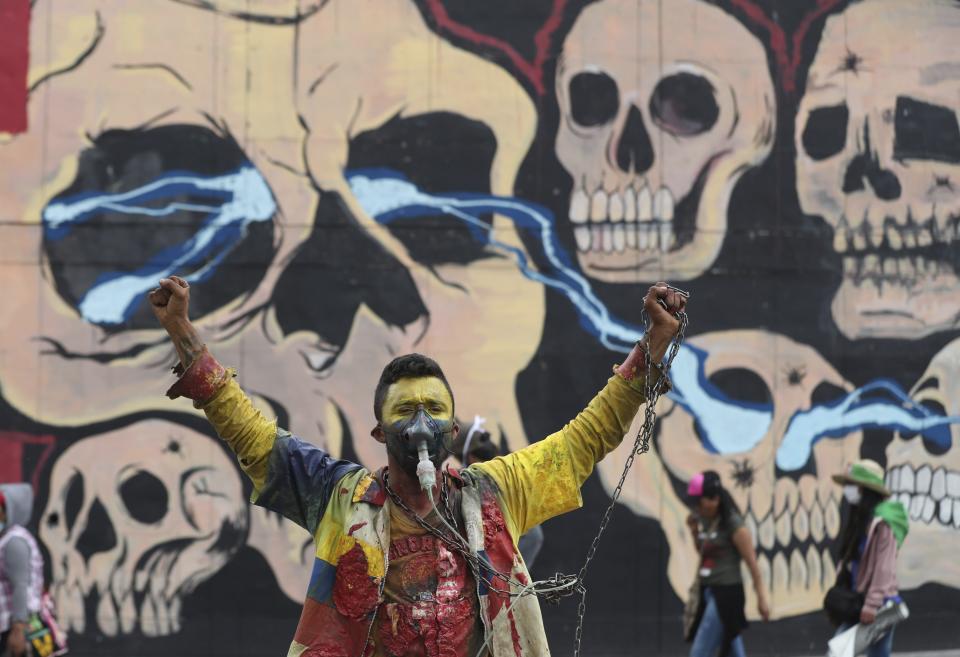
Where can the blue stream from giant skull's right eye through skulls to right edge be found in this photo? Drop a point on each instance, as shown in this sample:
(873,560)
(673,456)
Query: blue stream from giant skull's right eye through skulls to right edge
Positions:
(726,426)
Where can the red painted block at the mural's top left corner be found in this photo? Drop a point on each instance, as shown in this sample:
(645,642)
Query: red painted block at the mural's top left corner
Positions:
(14,57)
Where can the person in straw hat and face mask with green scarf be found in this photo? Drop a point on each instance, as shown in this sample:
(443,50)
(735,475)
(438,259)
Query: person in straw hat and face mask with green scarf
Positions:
(870,538)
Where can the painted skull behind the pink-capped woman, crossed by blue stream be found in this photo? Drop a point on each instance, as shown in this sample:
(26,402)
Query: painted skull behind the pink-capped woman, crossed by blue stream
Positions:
(793,516)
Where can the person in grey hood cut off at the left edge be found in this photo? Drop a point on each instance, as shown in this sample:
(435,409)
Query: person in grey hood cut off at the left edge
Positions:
(21,568)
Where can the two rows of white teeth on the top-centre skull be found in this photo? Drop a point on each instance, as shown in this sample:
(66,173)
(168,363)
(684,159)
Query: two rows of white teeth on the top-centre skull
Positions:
(624,220)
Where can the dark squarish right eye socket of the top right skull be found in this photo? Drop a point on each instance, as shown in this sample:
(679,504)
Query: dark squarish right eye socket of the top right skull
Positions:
(925,132)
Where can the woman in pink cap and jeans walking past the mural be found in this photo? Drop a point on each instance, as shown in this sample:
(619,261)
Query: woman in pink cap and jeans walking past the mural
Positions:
(722,541)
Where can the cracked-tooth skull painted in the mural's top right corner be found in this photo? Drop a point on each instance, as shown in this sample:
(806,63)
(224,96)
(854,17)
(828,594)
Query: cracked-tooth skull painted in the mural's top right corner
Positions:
(878,149)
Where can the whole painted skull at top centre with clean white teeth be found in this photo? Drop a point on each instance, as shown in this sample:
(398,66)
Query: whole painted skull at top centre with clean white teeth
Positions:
(655,131)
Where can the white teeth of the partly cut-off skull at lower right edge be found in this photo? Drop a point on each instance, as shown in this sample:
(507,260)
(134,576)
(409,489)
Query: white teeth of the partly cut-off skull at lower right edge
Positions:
(930,496)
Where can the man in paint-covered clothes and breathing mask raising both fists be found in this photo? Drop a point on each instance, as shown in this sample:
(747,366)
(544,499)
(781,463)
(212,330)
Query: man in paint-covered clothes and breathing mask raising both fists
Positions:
(399,572)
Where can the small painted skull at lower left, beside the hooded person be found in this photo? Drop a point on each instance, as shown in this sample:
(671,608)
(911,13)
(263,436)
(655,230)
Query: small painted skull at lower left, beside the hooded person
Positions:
(137,518)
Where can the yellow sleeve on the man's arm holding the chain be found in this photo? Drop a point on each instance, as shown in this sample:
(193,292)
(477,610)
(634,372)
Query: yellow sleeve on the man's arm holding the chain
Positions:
(543,480)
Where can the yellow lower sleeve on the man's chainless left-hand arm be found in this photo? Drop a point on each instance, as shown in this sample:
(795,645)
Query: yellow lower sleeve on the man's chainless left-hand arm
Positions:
(248,433)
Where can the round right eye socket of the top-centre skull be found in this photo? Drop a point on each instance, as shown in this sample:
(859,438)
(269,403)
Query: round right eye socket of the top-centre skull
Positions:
(684,104)
